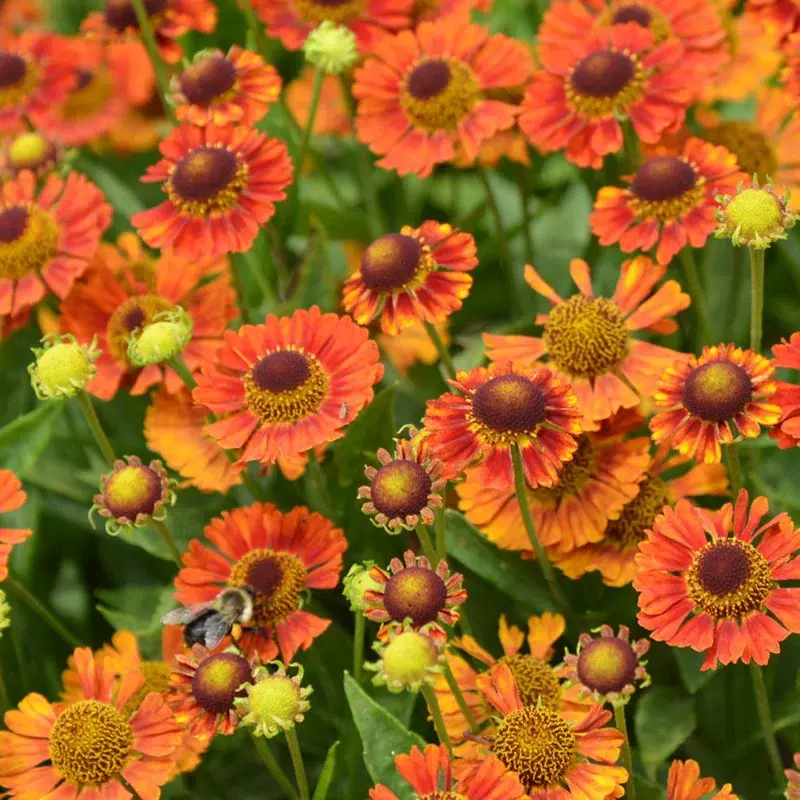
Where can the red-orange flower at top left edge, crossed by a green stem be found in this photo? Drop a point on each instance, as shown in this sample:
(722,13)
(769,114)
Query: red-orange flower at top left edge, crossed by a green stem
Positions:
(170,19)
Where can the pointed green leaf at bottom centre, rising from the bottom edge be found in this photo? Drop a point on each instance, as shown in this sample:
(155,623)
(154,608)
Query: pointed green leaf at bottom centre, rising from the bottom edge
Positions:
(382,736)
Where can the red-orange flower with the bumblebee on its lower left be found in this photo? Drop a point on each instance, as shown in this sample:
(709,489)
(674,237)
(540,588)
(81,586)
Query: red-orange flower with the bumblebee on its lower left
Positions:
(278,556)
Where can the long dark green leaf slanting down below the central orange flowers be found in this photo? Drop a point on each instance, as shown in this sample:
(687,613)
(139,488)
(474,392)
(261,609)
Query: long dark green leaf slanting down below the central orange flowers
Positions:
(504,570)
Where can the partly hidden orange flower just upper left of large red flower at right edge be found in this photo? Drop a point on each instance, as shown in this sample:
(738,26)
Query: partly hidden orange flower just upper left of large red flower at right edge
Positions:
(613,556)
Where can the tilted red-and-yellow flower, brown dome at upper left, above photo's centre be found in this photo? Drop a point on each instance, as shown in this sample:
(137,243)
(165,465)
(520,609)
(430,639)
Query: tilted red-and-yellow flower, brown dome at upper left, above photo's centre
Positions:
(416,275)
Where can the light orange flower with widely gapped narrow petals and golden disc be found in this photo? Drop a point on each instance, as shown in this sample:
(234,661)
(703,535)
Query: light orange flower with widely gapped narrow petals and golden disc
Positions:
(588,339)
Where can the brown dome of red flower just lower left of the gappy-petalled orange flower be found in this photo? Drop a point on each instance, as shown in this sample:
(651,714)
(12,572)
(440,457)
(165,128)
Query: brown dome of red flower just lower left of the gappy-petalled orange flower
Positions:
(509,403)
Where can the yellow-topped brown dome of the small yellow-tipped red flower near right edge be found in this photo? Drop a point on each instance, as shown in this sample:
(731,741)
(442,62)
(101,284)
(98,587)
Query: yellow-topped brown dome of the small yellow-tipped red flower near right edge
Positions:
(717,391)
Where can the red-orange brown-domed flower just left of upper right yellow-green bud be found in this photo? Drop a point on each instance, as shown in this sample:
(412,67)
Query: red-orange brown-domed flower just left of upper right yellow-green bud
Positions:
(669,203)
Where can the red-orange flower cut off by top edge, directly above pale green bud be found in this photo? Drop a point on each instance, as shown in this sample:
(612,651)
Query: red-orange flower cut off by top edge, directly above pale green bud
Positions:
(292,20)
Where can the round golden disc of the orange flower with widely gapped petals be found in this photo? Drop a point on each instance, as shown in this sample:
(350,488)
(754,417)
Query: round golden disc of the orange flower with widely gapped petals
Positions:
(586,336)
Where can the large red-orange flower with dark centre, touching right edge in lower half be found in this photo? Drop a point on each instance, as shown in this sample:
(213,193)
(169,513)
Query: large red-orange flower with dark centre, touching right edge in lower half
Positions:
(712,581)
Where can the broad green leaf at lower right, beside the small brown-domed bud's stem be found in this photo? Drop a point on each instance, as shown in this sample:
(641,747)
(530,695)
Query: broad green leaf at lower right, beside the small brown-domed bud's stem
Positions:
(665,718)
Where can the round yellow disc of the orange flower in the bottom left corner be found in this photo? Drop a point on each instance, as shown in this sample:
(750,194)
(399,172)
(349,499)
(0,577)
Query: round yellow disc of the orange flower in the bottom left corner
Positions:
(90,743)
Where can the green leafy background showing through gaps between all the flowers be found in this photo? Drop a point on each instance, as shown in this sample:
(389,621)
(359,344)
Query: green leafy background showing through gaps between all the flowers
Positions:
(98,584)
